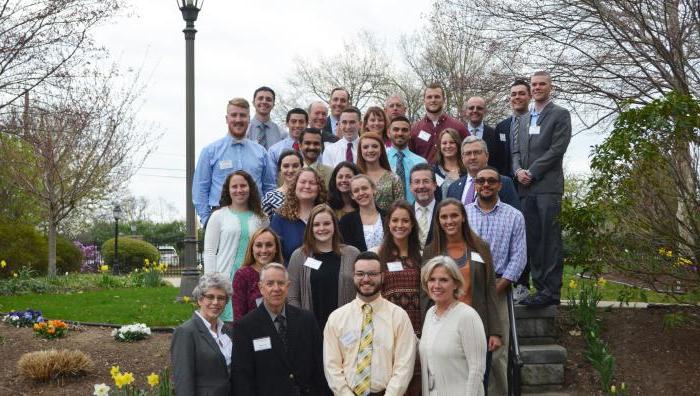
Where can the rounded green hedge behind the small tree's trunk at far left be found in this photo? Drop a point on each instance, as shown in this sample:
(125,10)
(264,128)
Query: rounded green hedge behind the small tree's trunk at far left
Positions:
(22,245)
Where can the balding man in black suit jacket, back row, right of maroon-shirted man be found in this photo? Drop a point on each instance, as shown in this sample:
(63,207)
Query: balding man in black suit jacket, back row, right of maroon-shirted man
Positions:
(474,111)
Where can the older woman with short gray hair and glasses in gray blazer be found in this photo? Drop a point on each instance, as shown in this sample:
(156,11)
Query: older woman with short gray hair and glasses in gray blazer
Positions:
(200,351)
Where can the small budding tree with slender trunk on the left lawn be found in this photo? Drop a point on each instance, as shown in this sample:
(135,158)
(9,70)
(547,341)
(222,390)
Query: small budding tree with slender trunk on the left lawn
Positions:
(84,144)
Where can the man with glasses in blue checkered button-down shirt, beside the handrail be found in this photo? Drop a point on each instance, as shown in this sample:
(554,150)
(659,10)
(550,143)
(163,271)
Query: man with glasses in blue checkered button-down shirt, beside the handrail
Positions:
(503,227)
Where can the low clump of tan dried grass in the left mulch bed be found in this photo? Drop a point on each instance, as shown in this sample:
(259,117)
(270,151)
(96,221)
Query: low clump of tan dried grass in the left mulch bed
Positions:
(52,364)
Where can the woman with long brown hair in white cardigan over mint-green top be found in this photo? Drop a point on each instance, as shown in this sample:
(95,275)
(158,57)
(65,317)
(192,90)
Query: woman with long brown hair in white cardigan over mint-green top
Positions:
(229,228)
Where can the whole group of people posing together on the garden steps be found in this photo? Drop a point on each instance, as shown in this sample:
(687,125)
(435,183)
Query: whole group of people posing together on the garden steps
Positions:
(370,256)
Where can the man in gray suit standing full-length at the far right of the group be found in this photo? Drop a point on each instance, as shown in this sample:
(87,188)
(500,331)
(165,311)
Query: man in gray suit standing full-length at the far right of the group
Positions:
(538,154)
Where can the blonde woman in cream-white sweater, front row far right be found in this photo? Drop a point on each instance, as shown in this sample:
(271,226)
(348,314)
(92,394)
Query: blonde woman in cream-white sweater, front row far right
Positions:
(452,348)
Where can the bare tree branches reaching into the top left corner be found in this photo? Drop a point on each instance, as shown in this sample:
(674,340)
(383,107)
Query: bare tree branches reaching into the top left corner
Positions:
(41,39)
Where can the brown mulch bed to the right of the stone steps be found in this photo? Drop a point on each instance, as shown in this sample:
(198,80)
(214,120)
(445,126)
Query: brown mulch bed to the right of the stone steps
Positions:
(649,359)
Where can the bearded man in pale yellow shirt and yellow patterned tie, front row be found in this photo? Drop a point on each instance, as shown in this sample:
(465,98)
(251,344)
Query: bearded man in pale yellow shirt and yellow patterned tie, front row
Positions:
(369,347)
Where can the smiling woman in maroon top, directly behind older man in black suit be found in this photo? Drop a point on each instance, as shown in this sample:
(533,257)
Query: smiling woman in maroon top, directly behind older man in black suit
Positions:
(264,248)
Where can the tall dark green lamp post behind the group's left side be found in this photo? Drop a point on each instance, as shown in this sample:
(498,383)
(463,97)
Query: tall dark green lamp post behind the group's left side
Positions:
(190,274)
